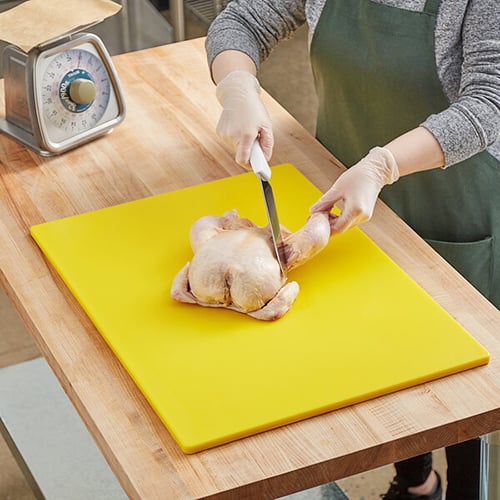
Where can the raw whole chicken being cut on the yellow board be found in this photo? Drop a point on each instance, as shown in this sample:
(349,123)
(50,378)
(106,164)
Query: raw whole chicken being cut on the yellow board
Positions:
(234,264)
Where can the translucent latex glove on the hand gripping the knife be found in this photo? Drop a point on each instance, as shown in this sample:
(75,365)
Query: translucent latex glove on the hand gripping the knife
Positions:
(244,117)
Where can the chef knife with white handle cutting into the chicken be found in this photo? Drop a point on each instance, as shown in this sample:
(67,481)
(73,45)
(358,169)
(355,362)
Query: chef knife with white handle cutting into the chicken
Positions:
(261,168)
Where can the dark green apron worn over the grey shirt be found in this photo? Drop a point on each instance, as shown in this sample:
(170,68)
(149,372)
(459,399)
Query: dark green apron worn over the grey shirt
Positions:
(376,78)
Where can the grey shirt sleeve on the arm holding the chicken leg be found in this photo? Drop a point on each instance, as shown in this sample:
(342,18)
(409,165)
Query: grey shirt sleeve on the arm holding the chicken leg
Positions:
(472,122)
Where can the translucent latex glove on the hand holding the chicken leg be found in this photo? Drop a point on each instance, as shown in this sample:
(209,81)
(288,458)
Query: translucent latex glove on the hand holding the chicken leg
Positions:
(357,189)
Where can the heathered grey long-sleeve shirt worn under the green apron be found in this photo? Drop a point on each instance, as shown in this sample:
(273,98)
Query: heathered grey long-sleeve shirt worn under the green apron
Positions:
(467,41)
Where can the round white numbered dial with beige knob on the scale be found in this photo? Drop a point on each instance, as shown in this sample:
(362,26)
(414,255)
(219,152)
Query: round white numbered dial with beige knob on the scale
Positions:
(75,90)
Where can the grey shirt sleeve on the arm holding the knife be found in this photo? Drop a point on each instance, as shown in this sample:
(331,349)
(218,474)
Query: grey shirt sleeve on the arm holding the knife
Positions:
(253,27)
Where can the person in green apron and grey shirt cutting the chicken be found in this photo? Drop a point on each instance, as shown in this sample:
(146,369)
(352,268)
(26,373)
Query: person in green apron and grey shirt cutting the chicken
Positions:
(409,91)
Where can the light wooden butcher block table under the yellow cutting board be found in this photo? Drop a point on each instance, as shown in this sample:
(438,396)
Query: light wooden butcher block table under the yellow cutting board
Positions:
(166,143)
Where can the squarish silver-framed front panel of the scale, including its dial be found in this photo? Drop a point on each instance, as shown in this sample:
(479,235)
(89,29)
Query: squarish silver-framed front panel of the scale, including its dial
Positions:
(76,93)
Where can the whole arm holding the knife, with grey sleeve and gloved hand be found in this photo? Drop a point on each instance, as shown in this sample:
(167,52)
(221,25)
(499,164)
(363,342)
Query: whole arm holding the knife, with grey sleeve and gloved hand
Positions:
(241,36)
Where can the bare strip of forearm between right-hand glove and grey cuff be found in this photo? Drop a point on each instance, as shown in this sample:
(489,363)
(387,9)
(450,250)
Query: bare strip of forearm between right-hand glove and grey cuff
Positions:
(416,151)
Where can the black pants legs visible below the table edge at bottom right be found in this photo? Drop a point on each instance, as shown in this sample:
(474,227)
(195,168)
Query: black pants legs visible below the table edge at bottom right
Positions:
(462,475)
